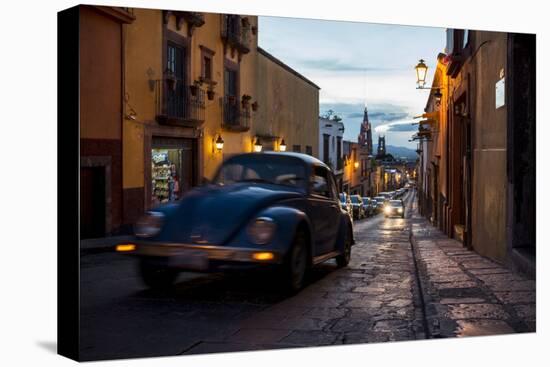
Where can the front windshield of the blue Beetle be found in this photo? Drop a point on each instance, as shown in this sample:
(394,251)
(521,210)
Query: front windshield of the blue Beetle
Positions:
(260,168)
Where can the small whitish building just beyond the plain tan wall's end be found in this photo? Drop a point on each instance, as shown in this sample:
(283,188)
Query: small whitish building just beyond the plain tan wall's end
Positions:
(330,145)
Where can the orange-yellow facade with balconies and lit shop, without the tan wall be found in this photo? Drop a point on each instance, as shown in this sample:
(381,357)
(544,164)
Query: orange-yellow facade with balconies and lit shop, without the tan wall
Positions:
(189,81)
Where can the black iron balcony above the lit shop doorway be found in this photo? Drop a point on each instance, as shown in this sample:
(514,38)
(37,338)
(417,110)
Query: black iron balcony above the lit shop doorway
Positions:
(178,103)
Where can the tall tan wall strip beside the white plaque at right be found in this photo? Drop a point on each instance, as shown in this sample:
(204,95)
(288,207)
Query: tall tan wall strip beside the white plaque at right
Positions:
(489,140)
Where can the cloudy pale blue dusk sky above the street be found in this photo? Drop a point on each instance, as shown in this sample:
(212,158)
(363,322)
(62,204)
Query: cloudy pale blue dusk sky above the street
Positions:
(357,64)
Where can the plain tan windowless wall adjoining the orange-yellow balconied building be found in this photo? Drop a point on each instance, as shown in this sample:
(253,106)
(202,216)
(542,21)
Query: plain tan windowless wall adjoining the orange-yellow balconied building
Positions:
(289,106)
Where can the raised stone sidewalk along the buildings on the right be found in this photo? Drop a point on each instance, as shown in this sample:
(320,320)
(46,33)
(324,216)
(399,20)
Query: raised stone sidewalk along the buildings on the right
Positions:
(466,294)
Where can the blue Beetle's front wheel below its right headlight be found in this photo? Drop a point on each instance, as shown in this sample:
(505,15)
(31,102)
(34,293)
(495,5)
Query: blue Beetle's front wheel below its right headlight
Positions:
(297,263)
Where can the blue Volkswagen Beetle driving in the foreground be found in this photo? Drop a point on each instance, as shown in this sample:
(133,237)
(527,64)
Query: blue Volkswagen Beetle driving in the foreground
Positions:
(261,209)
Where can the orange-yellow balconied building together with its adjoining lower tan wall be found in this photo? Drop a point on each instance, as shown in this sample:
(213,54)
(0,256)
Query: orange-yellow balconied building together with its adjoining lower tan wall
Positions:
(196,90)
